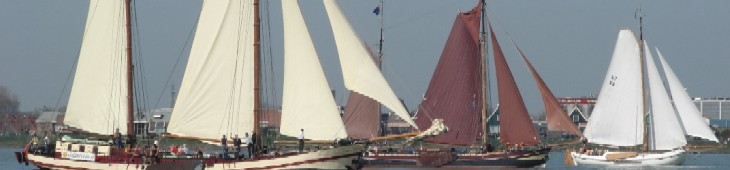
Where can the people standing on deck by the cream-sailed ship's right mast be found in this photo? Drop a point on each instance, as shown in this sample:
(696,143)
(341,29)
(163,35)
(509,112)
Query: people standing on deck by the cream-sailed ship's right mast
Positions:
(250,142)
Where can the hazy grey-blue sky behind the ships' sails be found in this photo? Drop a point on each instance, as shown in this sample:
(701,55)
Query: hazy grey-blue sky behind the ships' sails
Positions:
(568,41)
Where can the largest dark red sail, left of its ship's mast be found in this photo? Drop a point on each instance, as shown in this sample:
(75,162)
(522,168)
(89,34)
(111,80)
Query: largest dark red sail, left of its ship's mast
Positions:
(454,93)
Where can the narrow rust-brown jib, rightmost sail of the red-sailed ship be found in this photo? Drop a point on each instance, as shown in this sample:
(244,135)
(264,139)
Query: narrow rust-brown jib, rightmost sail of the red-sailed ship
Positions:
(557,119)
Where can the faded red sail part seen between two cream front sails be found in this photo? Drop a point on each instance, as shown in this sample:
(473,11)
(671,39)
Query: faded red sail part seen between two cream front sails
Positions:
(362,117)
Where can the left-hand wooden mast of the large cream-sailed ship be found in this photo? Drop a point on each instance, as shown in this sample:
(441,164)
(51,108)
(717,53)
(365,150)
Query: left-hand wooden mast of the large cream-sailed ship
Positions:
(130,75)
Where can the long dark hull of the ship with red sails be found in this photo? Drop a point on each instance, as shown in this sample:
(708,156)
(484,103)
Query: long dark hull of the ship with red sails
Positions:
(520,159)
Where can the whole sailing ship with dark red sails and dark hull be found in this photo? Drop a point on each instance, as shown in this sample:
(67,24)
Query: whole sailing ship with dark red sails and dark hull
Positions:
(456,95)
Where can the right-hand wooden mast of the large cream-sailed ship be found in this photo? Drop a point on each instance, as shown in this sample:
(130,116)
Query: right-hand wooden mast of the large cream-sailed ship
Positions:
(257,73)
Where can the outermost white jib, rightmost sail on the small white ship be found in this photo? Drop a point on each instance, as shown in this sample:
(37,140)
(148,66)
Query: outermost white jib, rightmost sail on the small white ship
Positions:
(691,117)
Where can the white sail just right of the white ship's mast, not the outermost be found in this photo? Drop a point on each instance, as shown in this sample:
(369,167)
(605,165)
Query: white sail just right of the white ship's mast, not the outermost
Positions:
(668,132)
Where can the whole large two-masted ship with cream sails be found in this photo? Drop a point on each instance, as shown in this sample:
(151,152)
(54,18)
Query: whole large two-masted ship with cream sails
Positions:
(220,91)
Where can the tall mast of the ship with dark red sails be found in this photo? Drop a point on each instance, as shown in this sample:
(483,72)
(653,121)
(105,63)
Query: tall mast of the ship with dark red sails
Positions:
(483,53)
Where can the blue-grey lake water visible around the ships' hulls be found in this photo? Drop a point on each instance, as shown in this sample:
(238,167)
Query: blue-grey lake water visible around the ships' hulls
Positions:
(693,161)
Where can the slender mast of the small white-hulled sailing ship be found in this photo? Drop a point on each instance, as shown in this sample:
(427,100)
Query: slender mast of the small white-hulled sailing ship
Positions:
(645,145)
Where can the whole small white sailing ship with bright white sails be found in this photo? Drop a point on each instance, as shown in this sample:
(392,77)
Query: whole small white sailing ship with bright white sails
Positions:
(618,120)
